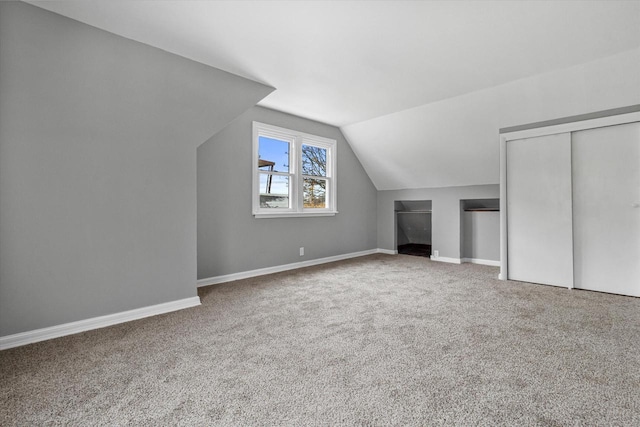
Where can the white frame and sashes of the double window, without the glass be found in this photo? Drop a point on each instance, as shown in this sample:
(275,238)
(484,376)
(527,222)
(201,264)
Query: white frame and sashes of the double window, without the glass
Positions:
(296,180)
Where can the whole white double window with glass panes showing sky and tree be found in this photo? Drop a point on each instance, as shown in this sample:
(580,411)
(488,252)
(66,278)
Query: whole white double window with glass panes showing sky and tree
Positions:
(293,173)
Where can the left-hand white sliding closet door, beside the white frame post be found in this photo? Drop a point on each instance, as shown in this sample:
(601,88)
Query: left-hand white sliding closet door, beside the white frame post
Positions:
(539,243)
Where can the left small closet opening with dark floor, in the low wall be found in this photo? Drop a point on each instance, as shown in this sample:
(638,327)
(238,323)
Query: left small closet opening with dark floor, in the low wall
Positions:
(413,227)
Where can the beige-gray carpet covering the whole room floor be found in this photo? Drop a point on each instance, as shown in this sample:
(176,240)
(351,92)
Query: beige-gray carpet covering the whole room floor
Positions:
(378,340)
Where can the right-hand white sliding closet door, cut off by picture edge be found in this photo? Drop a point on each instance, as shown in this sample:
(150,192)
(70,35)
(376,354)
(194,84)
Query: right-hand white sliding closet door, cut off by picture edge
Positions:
(606,197)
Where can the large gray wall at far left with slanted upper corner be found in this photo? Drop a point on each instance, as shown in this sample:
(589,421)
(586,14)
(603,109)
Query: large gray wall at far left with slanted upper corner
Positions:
(98,138)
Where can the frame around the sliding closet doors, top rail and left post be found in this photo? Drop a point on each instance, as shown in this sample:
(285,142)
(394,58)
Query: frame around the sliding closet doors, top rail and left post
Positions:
(543,129)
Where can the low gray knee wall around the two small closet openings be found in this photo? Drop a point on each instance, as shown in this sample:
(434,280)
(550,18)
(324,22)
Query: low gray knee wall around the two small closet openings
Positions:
(445,218)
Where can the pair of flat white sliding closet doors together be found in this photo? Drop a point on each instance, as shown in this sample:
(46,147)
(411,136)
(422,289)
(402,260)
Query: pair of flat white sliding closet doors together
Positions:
(573,209)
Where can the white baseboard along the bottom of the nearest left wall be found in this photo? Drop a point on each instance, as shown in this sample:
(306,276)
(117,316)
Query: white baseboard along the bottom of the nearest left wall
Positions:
(29,337)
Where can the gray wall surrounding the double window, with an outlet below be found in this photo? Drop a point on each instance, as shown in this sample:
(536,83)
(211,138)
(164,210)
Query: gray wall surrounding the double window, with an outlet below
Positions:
(231,240)
